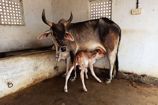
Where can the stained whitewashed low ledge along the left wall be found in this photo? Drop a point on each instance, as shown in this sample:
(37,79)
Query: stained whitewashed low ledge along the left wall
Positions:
(21,71)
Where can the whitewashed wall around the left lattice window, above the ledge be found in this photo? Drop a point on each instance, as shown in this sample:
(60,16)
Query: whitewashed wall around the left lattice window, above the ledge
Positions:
(23,37)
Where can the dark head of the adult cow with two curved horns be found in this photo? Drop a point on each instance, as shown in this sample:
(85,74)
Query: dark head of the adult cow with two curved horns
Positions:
(59,29)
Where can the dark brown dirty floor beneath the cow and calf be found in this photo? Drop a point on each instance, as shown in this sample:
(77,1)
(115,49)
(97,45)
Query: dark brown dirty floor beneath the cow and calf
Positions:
(50,92)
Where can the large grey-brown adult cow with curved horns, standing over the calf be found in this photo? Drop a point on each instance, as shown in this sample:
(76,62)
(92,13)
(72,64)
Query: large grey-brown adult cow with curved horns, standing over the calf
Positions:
(88,35)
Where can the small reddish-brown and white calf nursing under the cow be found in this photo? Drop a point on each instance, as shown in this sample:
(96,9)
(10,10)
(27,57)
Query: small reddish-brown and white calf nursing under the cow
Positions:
(85,59)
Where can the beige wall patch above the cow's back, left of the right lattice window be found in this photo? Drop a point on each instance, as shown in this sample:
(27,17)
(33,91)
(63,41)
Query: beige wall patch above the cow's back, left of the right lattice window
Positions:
(63,8)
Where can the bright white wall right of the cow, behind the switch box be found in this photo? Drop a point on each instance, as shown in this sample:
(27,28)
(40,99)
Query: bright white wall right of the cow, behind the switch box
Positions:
(139,45)
